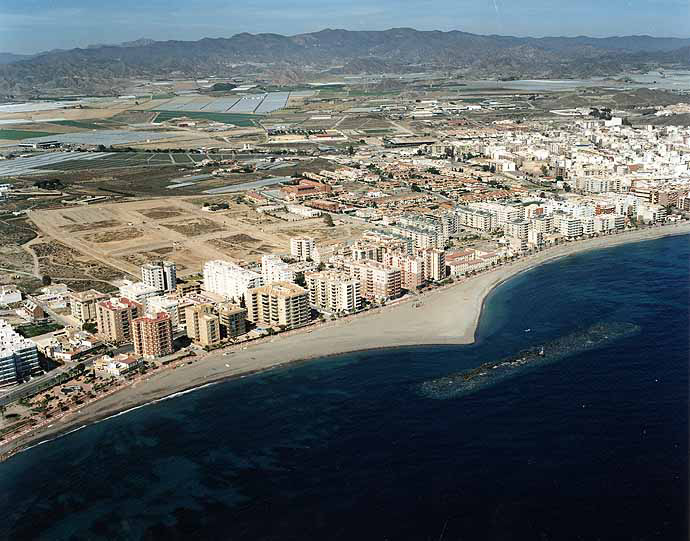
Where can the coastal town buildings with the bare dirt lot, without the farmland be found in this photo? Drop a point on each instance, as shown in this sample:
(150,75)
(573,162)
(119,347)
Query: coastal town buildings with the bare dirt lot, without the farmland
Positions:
(382,222)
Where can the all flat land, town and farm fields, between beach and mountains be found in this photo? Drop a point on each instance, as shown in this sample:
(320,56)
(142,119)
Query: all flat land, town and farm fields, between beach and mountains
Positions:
(131,250)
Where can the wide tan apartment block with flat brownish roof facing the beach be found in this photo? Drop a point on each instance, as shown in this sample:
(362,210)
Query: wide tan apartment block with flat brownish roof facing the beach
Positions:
(278,304)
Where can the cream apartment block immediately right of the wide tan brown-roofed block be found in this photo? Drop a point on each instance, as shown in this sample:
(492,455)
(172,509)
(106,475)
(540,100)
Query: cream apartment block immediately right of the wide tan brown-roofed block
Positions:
(333,291)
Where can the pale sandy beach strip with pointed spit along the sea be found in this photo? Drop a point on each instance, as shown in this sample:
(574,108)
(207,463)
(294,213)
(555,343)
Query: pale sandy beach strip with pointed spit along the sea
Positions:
(447,315)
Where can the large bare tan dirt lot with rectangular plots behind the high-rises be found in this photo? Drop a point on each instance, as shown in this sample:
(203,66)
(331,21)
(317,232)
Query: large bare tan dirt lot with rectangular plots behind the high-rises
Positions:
(177,229)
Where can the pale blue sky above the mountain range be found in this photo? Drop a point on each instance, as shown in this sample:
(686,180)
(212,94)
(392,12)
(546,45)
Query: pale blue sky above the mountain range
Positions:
(29,26)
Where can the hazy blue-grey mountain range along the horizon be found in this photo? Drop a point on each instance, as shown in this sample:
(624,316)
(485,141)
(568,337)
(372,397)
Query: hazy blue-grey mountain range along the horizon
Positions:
(105,68)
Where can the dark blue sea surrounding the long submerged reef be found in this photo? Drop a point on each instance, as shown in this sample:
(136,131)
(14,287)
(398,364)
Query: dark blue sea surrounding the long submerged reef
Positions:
(594,446)
